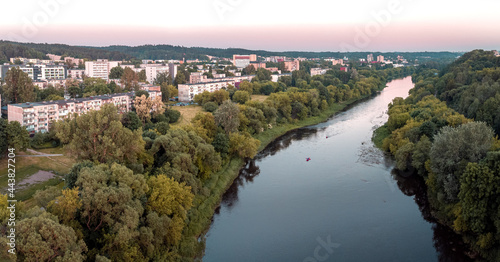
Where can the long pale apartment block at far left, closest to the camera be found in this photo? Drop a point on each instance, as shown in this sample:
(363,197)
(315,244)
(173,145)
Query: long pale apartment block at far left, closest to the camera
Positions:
(38,116)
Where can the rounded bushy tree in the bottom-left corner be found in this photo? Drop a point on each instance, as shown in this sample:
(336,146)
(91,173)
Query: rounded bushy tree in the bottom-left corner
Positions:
(43,239)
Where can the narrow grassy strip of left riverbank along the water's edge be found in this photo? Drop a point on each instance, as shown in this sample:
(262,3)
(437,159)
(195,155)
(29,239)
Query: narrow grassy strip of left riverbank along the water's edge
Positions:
(204,206)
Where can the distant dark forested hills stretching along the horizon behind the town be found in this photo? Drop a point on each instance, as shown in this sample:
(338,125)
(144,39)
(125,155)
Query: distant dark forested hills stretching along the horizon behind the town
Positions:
(37,50)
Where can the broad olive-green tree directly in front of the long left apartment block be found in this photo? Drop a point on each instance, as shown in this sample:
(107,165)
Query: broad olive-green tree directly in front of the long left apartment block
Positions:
(100,136)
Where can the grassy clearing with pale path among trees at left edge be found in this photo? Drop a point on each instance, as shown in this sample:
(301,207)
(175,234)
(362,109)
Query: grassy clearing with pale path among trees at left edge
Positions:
(26,167)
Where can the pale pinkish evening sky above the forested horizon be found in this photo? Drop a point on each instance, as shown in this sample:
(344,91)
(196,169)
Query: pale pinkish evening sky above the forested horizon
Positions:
(274,25)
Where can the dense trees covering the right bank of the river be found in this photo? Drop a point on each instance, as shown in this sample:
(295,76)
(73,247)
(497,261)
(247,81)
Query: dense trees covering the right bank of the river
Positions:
(457,155)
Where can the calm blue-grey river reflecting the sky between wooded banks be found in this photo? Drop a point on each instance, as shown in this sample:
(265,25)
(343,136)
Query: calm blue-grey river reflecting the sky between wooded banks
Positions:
(345,204)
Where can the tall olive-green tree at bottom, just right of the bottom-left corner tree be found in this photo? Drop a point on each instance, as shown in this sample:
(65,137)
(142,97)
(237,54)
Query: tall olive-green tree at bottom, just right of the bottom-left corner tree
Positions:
(112,198)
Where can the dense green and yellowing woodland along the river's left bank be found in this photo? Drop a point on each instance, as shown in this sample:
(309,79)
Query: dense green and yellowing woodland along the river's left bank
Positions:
(145,188)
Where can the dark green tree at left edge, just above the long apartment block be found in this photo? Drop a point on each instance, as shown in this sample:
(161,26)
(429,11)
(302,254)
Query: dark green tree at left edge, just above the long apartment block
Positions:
(18,87)
